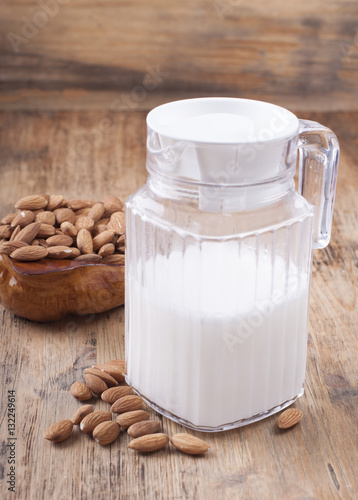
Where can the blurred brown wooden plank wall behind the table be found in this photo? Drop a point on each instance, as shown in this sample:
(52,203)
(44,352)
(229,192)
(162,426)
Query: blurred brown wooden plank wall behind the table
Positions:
(301,54)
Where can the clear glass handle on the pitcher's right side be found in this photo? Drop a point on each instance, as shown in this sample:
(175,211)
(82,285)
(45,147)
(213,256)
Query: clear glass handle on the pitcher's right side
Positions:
(318,149)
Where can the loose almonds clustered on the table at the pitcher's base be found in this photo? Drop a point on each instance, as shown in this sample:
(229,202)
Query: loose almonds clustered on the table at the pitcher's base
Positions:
(102,380)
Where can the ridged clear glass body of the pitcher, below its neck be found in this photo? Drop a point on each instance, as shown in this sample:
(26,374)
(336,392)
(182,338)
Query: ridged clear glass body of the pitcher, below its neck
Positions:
(216,327)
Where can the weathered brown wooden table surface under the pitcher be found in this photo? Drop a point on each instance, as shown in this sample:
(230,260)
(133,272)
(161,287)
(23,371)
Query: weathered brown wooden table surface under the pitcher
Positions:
(70,153)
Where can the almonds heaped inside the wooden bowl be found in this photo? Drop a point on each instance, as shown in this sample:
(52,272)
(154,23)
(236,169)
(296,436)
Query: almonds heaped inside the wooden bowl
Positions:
(48,226)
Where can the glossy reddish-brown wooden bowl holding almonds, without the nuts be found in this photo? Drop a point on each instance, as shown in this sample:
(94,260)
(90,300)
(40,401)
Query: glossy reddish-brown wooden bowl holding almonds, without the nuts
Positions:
(49,289)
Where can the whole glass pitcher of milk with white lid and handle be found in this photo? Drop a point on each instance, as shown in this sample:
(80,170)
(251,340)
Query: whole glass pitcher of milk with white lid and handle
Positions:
(218,259)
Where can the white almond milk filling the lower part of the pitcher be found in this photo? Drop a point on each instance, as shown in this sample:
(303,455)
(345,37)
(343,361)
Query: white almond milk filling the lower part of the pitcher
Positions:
(218,360)
